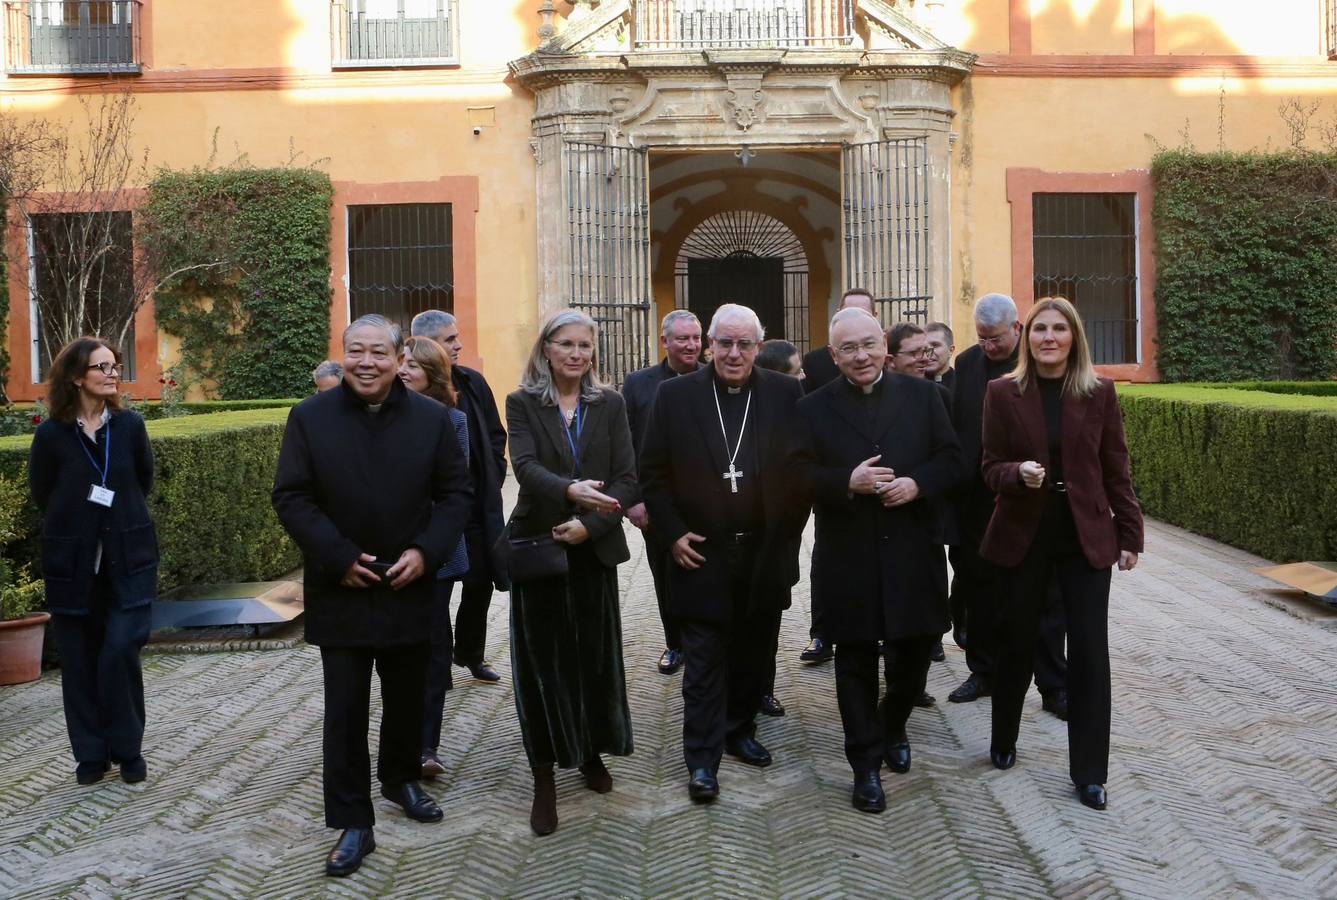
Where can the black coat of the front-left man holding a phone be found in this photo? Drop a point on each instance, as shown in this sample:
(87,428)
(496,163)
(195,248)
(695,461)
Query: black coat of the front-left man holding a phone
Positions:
(352,482)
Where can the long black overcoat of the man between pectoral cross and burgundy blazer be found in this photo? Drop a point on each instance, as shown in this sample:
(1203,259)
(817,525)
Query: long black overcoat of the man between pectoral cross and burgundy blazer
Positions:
(878,573)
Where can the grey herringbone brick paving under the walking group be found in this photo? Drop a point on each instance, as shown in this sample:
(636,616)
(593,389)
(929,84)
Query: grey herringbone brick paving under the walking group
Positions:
(1224,779)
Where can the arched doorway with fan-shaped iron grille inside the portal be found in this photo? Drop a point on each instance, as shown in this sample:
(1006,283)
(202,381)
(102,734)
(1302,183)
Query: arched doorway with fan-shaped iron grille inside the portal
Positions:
(751,259)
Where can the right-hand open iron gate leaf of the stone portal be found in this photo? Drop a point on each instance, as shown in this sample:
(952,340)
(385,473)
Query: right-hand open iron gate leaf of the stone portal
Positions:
(887,227)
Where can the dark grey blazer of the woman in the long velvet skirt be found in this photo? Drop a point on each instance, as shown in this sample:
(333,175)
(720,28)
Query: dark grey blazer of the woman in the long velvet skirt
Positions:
(545,469)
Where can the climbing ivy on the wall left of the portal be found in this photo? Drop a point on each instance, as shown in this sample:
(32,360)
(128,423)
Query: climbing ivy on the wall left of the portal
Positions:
(252,304)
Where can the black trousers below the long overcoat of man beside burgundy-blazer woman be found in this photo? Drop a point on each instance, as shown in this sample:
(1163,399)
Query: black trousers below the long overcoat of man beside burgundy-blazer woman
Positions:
(872,728)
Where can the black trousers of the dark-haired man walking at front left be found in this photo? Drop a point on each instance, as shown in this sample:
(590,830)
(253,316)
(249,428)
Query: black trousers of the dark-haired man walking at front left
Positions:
(348,701)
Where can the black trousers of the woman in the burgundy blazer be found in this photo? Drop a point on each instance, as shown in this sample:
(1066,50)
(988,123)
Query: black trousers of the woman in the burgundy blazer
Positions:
(1086,600)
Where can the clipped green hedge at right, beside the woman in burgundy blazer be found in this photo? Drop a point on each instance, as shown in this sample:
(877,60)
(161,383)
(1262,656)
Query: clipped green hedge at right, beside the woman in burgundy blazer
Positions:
(1249,469)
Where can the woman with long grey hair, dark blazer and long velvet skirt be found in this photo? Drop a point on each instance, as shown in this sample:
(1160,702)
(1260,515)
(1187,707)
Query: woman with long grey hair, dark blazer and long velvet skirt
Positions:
(572,451)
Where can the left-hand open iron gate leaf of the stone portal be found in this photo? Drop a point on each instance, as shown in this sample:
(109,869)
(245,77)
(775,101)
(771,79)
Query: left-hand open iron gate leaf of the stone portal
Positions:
(609,216)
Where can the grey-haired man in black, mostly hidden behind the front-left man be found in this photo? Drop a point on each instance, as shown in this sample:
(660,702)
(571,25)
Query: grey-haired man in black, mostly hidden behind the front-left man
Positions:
(487,467)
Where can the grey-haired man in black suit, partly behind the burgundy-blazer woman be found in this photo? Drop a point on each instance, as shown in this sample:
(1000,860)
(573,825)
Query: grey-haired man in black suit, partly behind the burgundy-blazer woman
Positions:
(977,584)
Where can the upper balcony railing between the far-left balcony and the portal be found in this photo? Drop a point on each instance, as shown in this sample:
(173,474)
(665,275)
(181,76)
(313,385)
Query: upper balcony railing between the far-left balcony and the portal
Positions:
(395,33)
